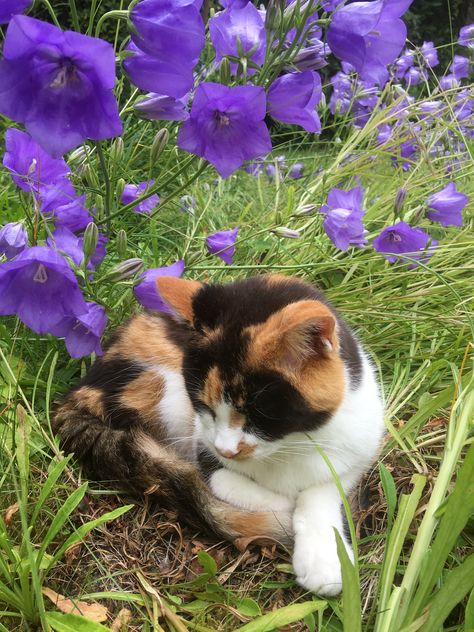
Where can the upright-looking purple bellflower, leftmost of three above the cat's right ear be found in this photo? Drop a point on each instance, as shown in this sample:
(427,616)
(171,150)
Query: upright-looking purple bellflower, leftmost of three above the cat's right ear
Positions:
(343,223)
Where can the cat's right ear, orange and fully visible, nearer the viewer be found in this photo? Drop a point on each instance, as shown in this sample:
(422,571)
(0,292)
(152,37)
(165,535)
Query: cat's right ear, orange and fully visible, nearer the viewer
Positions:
(296,334)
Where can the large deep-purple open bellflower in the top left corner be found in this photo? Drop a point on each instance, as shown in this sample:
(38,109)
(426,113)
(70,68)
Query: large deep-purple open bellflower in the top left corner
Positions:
(59,84)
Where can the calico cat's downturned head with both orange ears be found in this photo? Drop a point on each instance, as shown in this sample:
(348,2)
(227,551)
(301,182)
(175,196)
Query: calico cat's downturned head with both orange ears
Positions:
(263,362)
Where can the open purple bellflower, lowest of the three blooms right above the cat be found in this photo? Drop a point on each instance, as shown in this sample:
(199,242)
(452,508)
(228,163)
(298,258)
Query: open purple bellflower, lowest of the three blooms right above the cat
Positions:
(403,239)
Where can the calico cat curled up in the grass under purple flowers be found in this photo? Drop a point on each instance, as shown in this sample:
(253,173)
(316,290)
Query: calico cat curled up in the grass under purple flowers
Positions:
(216,410)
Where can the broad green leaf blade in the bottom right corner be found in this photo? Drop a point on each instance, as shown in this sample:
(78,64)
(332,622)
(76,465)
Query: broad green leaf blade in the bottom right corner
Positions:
(457,585)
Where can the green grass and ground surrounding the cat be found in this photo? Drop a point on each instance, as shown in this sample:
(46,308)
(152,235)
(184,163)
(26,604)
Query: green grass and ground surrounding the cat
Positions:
(412,513)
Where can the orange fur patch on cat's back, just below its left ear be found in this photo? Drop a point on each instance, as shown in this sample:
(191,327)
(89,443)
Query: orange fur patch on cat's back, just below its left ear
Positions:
(146,340)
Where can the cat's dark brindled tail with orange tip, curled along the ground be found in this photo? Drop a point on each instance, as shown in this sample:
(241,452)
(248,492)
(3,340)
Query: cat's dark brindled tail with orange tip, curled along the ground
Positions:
(133,460)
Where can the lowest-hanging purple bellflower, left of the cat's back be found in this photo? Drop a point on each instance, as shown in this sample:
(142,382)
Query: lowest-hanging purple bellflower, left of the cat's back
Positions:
(82,333)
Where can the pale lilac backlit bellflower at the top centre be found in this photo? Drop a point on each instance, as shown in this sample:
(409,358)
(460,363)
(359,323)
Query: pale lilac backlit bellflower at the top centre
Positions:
(239,31)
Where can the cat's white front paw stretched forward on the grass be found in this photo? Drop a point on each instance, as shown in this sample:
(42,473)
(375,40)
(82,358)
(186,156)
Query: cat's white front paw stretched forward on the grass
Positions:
(316,564)
